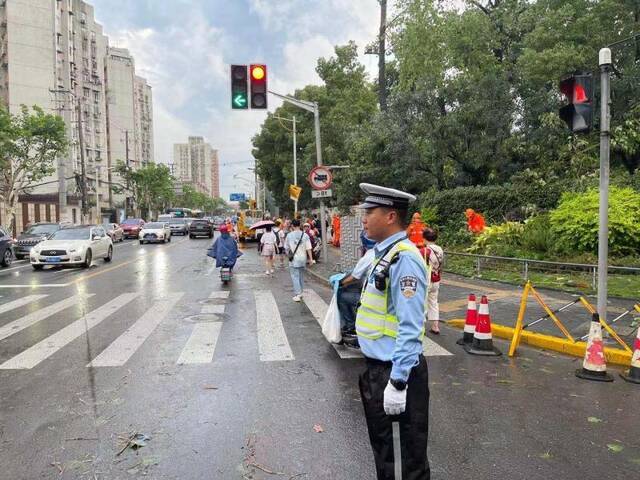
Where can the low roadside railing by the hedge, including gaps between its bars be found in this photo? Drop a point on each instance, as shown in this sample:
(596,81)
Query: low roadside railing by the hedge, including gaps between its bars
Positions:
(475,264)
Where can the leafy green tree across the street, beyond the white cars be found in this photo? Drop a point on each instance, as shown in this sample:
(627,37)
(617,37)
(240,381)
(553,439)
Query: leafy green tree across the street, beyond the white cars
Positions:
(152,186)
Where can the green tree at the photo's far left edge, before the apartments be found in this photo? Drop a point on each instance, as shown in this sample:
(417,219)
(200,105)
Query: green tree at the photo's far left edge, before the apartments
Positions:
(29,144)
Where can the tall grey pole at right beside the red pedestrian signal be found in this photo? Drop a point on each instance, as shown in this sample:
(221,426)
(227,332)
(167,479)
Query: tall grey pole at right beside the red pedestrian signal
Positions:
(605,138)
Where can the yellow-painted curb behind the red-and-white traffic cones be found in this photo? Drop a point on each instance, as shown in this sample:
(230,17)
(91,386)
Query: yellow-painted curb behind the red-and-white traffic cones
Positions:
(615,356)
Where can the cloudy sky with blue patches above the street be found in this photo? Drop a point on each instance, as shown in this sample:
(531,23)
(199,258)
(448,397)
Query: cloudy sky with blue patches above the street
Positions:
(184,49)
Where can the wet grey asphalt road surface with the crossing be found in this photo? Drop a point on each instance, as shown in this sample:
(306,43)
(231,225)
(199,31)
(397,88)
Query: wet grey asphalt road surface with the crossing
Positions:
(253,407)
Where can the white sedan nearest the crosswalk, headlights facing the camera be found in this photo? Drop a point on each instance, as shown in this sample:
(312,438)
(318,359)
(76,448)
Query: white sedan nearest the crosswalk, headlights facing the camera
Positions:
(73,246)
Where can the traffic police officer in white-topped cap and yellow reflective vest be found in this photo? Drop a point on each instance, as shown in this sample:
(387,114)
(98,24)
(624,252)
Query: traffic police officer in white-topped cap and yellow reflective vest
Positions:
(390,327)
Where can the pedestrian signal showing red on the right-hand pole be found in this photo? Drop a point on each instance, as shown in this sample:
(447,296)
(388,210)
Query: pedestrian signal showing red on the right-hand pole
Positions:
(578,113)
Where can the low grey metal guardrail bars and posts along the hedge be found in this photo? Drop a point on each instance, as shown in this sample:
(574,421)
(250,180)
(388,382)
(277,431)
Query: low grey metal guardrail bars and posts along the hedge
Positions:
(541,264)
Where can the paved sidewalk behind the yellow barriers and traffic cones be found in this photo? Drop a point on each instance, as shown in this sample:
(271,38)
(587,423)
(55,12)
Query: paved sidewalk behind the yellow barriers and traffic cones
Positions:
(505,303)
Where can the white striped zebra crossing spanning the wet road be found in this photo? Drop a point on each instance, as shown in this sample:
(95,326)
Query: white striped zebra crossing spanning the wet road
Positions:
(199,348)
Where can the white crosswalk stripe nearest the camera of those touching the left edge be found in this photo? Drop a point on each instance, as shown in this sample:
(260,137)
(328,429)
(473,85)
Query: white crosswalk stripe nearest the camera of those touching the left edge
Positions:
(50,345)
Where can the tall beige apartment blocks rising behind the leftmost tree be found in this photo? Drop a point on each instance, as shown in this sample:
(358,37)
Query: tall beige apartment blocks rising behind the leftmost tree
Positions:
(55,55)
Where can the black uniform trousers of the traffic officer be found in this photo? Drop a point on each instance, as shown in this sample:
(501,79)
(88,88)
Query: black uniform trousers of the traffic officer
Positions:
(413,423)
